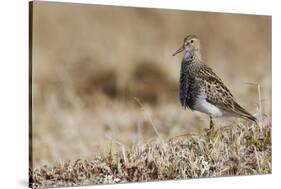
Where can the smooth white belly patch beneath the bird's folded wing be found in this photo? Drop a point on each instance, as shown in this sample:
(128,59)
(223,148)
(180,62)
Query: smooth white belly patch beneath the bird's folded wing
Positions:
(202,105)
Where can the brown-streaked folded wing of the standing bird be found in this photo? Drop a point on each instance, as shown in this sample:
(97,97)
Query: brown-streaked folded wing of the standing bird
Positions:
(219,95)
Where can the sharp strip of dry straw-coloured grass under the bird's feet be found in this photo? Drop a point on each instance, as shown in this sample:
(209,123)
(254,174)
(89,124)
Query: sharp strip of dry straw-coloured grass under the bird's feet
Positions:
(239,149)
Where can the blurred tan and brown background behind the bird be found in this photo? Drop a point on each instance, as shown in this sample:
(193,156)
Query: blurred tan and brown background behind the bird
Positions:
(104,77)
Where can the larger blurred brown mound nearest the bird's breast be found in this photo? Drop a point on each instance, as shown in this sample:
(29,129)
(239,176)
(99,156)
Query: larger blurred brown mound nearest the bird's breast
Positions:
(150,83)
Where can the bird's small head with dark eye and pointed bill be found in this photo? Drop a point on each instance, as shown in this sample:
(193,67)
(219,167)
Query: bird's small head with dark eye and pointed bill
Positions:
(190,43)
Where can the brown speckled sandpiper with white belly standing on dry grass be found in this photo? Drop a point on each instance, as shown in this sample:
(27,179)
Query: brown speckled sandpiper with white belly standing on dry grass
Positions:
(200,89)
